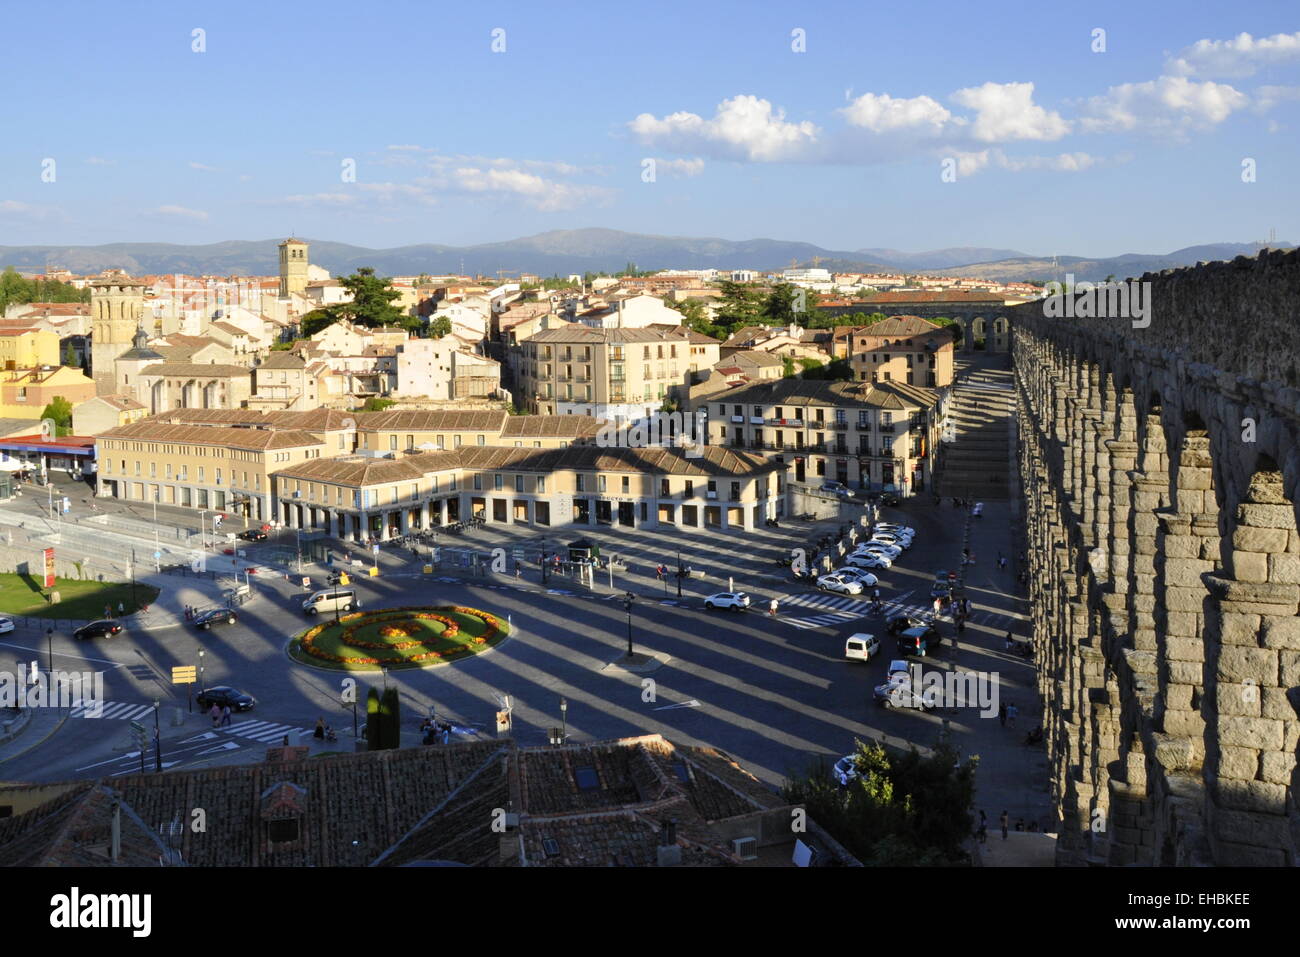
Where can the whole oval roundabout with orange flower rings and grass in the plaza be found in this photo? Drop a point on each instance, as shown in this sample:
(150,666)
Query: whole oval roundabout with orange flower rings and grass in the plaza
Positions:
(396,639)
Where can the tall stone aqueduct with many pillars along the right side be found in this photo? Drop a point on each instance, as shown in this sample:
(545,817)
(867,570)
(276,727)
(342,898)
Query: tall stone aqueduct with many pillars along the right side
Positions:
(1162,474)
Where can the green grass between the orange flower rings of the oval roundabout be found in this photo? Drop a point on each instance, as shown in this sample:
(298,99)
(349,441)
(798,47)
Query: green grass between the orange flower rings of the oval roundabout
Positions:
(432,636)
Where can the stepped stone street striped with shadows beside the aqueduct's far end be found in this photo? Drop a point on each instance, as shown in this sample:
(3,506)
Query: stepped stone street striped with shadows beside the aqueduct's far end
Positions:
(977,464)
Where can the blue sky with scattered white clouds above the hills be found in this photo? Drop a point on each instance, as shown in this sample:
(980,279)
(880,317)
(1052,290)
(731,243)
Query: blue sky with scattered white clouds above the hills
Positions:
(1055,148)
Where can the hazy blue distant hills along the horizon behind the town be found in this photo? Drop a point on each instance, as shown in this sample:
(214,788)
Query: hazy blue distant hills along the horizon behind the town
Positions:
(601,250)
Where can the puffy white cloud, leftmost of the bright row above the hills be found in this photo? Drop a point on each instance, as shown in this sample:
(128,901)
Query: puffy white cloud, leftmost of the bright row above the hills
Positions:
(743,128)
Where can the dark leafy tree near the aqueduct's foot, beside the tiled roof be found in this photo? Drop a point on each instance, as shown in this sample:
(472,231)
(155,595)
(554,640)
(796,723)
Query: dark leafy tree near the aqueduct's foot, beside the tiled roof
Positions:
(904,809)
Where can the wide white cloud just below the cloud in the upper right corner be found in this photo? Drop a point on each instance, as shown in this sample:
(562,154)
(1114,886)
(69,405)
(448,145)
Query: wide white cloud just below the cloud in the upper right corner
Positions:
(1168,105)
